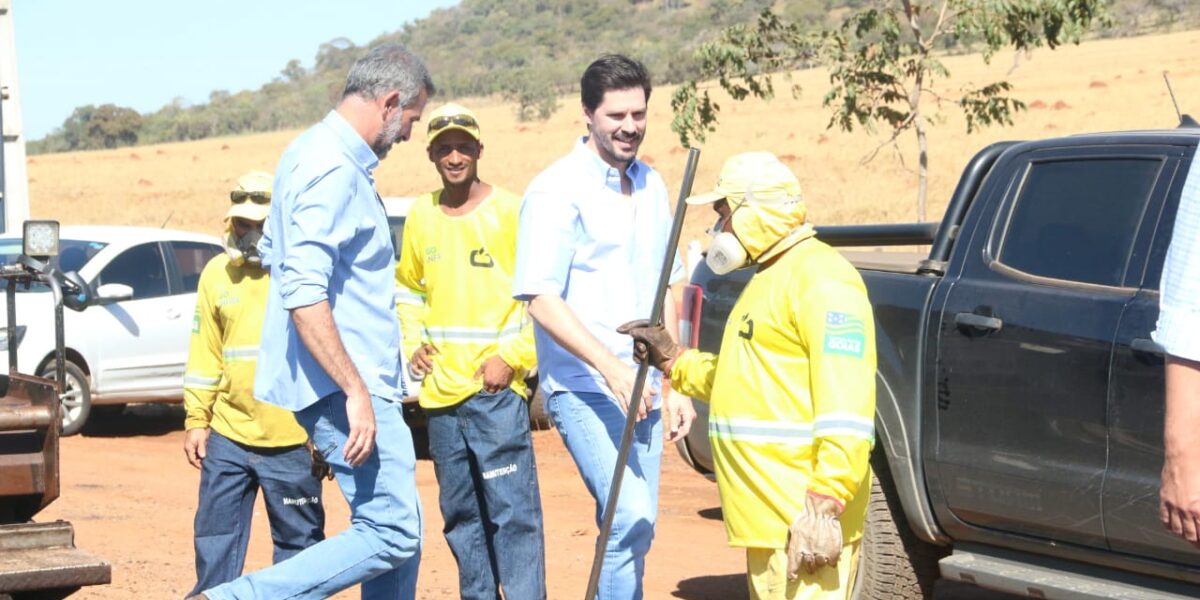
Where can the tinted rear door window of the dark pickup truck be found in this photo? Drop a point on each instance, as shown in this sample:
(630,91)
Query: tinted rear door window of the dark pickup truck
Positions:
(1077,220)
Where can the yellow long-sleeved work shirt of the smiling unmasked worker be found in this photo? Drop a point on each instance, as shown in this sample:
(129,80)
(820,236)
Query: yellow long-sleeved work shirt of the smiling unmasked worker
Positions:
(458,274)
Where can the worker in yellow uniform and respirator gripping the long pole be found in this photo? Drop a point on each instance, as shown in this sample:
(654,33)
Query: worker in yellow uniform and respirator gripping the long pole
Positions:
(793,393)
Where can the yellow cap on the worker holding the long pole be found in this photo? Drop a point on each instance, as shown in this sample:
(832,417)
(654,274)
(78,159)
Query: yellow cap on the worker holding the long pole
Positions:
(761,175)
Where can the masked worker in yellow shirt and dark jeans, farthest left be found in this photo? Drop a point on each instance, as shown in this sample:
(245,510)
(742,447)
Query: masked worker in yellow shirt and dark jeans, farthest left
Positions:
(241,445)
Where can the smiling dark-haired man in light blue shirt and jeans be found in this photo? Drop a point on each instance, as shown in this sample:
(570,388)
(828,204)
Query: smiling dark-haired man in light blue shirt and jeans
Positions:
(593,232)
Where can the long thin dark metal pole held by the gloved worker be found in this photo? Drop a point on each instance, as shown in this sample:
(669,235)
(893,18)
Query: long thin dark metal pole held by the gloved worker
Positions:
(627,436)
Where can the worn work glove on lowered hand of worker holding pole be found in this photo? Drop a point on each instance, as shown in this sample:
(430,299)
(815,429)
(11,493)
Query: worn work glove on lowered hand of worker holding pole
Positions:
(815,538)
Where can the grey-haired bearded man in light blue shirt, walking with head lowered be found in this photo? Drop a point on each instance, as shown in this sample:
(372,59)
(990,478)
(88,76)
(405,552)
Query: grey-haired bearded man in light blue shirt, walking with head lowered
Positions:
(331,346)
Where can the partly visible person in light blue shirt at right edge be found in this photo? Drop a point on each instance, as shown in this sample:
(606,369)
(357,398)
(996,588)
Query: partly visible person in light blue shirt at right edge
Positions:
(1179,333)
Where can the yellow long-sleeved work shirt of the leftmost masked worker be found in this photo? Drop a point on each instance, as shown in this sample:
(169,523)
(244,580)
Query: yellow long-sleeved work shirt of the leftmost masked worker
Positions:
(219,385)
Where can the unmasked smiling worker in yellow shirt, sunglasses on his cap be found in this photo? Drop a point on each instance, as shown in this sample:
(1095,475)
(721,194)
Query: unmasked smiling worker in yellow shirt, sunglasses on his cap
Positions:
(476,347)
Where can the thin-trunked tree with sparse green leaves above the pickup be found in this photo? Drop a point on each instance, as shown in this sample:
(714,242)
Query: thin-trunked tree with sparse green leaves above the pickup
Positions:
(883,64)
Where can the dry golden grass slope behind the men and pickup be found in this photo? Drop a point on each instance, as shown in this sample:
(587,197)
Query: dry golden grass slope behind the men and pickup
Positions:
(1100,86)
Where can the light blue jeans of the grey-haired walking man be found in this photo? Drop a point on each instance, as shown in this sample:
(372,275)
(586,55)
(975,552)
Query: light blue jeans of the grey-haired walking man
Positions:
(382,549)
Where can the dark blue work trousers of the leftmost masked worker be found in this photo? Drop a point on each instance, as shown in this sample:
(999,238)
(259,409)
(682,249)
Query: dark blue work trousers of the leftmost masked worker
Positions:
(230,481)
